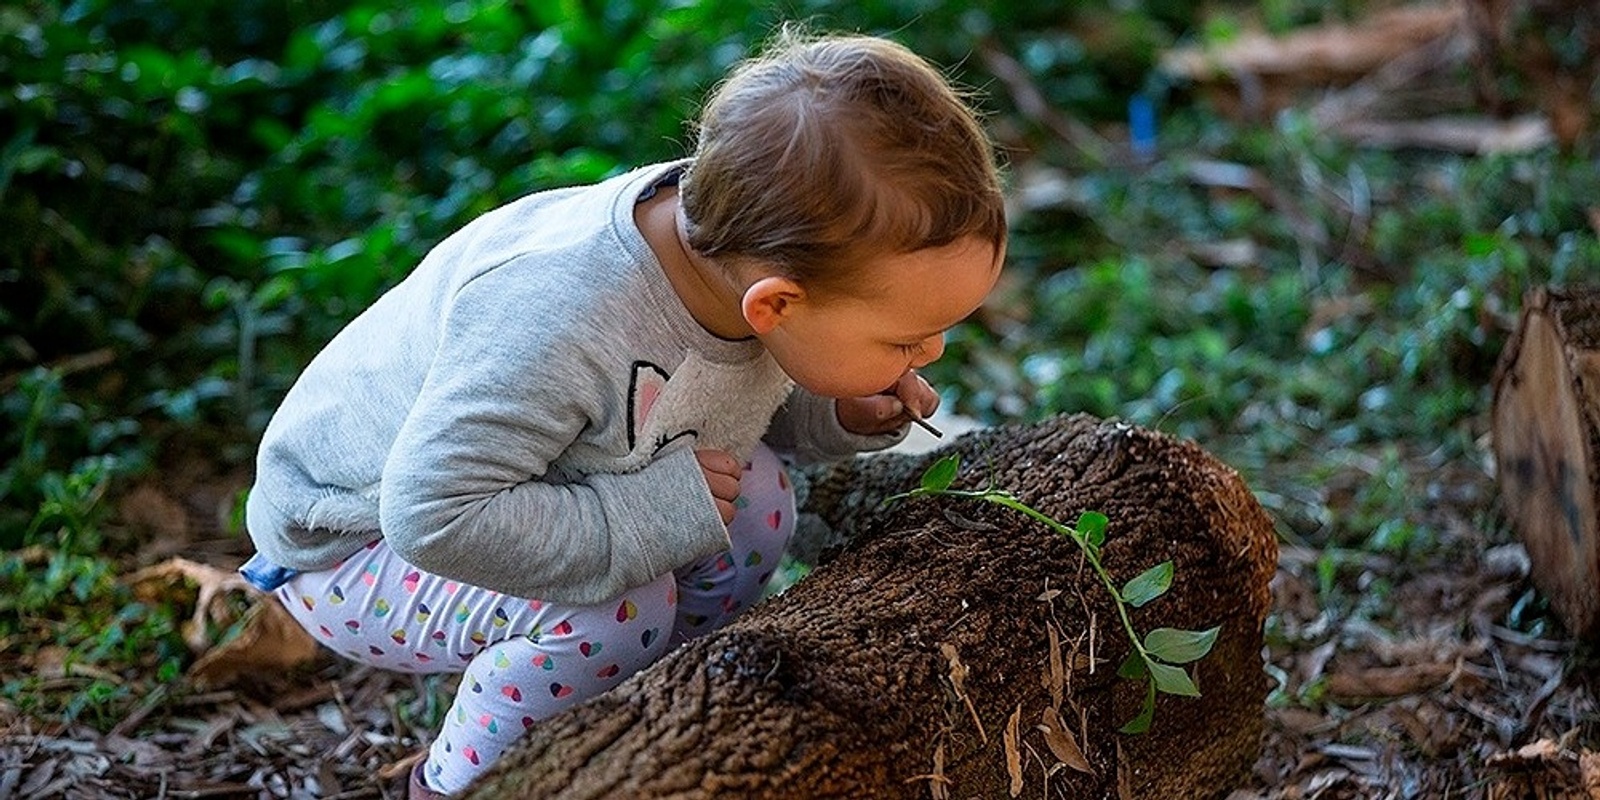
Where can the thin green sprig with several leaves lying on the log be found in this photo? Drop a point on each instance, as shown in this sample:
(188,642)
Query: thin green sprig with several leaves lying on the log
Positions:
(1158,657)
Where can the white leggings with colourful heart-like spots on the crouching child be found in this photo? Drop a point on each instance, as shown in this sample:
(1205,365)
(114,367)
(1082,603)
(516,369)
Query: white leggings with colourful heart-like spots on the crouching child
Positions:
(524,660)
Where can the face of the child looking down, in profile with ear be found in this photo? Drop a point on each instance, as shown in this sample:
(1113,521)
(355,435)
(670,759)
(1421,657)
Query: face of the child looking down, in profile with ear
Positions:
(862,345)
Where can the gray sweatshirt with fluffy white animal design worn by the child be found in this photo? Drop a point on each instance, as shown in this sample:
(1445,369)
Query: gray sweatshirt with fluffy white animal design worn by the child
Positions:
(521,414)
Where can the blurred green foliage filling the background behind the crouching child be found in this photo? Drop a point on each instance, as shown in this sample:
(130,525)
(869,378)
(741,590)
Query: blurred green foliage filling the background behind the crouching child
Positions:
(194,196)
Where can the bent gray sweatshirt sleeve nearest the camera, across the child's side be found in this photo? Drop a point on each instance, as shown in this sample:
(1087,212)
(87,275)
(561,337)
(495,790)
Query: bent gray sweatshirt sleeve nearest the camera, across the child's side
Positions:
(465,490)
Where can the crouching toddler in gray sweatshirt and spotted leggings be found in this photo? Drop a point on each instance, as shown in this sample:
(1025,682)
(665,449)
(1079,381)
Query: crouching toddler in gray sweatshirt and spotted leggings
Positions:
(558,449)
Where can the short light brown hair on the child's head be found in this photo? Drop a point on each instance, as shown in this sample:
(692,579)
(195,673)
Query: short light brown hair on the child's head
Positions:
(825,151)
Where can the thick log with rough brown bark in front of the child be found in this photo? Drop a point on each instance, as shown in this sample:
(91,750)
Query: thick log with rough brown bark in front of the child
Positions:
(918,660)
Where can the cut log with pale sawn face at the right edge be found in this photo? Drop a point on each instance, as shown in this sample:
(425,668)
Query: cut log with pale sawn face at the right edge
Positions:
(1546,438)
